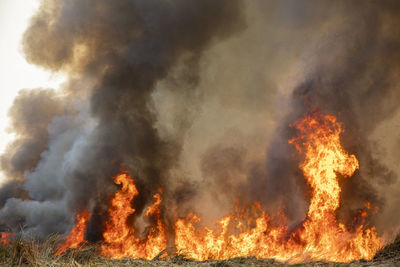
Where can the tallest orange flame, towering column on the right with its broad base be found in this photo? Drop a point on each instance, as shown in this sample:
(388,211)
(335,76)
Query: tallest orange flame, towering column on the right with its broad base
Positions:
(324,236)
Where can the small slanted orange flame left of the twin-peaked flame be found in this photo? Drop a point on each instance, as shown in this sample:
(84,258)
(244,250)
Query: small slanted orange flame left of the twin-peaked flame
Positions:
(77,234)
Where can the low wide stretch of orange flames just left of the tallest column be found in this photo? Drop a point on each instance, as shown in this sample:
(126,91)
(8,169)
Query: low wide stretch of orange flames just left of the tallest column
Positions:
(263,241)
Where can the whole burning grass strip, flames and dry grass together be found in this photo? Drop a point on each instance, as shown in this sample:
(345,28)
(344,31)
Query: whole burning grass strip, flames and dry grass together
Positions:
(321,236)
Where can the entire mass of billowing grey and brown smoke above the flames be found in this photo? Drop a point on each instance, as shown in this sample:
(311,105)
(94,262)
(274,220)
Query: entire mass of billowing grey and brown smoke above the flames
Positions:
(197,98)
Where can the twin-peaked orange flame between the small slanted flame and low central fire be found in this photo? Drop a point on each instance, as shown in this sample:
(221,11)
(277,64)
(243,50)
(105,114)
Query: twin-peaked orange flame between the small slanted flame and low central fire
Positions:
(119,237)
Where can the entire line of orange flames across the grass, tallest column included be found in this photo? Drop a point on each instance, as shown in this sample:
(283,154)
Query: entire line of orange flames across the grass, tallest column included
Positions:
(252,232)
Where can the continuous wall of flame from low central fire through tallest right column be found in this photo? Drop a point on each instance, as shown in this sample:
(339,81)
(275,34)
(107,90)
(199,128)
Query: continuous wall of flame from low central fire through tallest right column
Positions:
(320,237)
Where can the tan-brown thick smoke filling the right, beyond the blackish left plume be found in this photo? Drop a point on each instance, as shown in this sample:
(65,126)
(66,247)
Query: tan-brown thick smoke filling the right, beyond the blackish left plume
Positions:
(296,56)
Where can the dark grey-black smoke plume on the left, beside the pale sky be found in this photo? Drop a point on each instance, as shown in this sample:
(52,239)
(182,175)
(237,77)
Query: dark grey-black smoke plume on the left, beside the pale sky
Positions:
(123,48)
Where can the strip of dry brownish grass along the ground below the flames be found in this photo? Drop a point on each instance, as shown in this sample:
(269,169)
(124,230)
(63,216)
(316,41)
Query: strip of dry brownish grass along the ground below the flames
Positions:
(33,253)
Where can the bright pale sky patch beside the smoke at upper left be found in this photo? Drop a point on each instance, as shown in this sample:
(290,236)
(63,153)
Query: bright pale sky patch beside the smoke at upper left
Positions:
(15,72)
